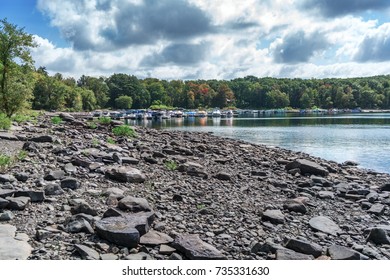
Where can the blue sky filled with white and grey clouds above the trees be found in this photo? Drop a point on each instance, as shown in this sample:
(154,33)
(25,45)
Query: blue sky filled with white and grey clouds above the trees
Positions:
(207,39)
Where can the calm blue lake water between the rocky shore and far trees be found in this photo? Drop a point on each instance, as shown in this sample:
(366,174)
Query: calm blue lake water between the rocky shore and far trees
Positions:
(364,138)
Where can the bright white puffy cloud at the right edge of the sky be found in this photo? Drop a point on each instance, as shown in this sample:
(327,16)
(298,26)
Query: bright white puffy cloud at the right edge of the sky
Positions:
(375,46)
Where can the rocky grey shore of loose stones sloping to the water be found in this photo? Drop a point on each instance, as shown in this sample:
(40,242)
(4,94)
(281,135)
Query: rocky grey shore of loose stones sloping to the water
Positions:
(74,194)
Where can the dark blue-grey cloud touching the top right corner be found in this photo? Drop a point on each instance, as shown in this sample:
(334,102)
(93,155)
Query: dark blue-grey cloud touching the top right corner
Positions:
(335,8)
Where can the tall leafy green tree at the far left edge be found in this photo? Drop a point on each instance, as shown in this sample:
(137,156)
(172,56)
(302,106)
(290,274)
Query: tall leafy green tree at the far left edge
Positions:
(15,87)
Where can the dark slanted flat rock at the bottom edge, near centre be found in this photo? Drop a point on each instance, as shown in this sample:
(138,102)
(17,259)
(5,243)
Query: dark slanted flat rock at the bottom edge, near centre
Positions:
(195,249)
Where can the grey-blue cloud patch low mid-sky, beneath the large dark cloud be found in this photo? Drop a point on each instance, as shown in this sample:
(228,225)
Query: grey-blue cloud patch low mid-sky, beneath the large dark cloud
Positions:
(178,54)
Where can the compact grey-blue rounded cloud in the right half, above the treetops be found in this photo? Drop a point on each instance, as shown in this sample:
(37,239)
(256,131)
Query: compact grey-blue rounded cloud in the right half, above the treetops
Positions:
(298,47)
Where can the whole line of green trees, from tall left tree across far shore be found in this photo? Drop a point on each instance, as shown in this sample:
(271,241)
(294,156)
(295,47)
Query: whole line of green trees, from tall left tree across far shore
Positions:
(22,86)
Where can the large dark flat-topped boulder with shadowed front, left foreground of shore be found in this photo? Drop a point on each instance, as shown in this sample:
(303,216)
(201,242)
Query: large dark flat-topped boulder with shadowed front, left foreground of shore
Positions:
(125,230)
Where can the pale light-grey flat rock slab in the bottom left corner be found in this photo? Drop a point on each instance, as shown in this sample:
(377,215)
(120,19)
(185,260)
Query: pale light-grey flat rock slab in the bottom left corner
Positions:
(13,246)
